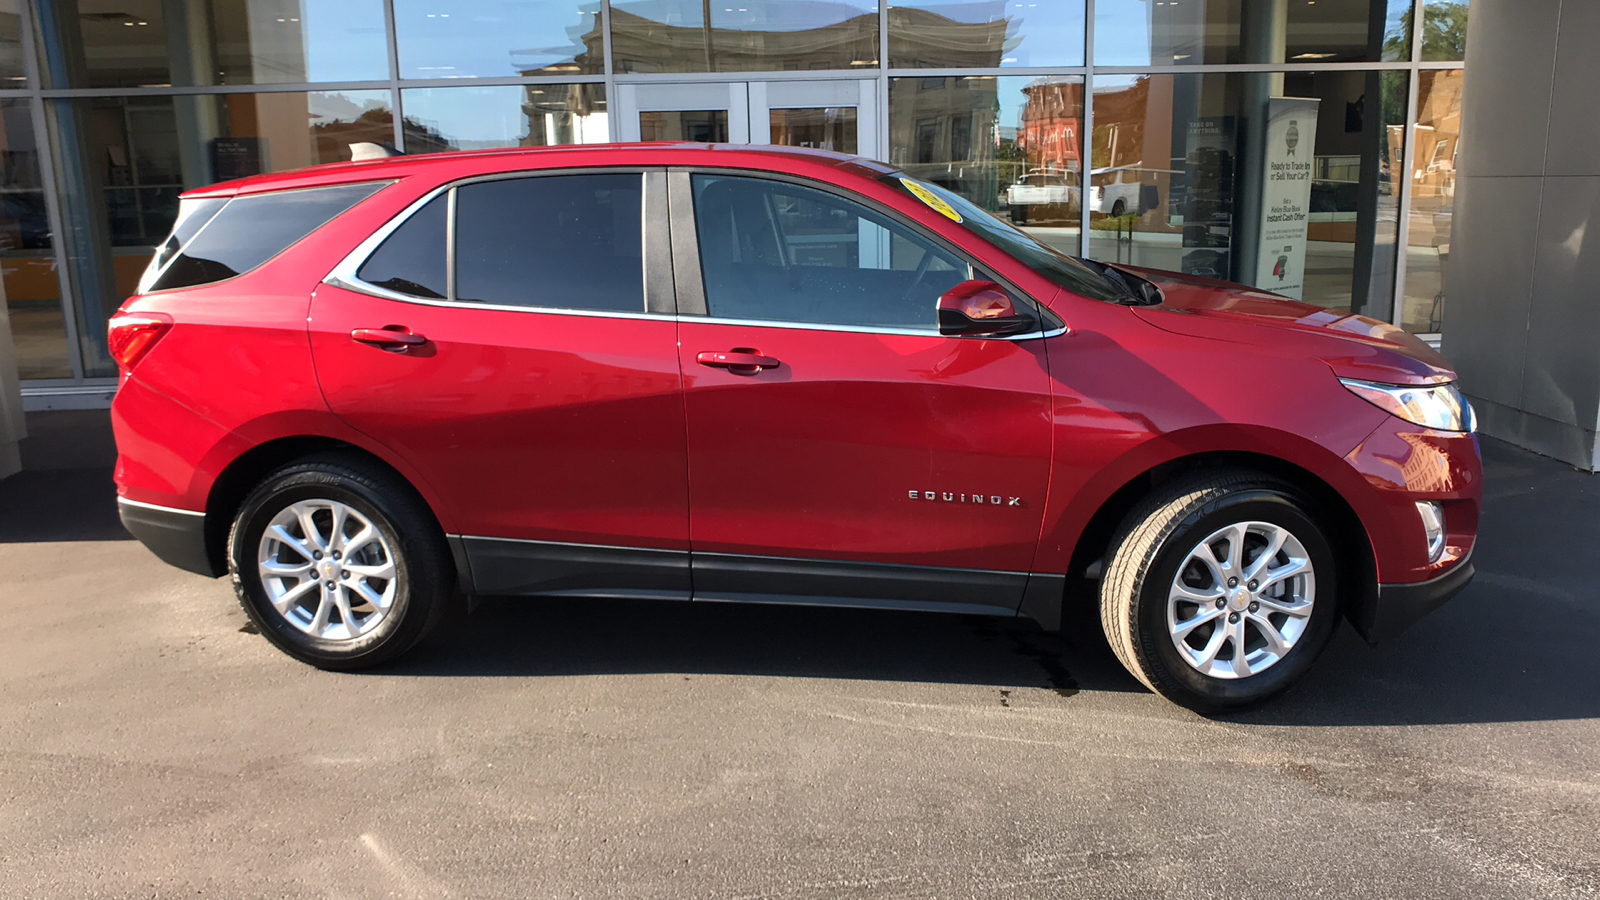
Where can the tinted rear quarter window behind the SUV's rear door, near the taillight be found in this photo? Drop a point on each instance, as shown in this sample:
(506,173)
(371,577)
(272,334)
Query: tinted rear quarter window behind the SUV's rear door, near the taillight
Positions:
(246,233)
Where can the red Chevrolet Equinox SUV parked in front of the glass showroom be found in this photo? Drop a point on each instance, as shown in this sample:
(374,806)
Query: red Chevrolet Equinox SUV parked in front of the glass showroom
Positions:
(367,392)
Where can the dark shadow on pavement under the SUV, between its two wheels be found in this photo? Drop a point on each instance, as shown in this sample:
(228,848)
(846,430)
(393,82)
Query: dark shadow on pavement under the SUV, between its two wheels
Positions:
(585,638)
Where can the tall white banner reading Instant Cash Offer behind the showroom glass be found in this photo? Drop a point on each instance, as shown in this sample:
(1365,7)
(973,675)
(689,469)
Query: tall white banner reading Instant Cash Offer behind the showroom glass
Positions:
(1286,196)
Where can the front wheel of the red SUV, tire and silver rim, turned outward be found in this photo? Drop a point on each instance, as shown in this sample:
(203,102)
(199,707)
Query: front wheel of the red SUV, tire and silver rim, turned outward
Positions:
(1220,590)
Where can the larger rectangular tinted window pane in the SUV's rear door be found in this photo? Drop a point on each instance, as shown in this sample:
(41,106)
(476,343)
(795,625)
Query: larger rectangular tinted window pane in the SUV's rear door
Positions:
(556,241)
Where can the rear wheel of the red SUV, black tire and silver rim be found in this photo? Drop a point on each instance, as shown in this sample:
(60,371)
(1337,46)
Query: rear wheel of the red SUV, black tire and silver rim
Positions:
(338,563)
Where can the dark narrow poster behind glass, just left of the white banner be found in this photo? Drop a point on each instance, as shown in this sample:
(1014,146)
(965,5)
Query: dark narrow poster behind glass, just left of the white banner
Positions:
(1210,155)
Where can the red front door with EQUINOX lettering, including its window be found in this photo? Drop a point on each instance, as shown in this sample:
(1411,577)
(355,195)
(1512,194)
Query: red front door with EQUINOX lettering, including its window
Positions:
(841,449)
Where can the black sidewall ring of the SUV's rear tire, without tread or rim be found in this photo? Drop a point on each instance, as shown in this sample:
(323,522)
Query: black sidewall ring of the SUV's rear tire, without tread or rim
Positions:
(263,505)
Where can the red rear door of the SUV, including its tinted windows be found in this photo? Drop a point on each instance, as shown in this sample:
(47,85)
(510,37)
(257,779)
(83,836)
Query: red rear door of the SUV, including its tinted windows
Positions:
(534,384)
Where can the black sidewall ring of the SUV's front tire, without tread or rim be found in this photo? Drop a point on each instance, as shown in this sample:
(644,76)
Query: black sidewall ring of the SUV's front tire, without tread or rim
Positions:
(1151,606)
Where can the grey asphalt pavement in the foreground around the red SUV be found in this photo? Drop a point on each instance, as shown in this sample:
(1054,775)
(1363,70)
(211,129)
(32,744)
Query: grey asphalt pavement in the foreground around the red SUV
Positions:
(153,747)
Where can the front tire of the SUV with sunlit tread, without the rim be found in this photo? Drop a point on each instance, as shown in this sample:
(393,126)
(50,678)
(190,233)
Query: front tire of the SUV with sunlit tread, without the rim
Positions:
(1145,561)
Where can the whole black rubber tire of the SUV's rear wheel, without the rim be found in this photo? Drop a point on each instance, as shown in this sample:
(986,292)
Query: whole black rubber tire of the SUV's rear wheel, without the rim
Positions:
(425,571)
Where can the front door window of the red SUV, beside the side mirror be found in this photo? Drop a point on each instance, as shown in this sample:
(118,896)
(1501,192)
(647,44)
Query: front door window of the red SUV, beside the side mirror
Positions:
(780,252)
